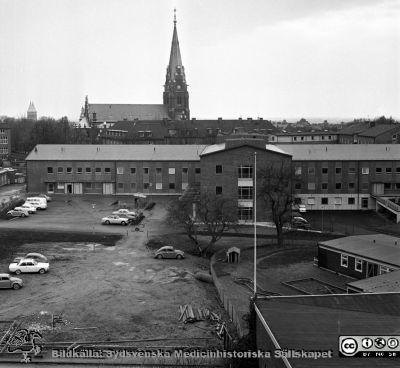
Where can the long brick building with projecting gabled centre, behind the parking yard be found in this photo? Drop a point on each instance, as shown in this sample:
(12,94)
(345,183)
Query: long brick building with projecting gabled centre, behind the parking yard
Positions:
(330,177)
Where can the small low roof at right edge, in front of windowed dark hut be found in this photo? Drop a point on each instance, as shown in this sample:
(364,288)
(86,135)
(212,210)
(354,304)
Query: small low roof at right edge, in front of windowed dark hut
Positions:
(388,282)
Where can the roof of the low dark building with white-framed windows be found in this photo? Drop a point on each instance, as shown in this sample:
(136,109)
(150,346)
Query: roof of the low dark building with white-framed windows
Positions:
(379,247)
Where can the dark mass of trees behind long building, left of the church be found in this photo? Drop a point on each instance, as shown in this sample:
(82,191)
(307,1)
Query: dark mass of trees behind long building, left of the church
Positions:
(25,134)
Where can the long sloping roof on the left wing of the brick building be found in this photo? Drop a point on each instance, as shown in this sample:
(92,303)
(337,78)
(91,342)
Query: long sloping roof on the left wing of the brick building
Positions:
(122,152)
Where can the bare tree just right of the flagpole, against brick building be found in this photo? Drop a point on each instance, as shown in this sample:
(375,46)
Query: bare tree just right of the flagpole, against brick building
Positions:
(276,190)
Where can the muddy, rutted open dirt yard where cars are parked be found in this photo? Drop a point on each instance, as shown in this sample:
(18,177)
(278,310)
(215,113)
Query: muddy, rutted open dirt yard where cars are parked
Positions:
(107,292)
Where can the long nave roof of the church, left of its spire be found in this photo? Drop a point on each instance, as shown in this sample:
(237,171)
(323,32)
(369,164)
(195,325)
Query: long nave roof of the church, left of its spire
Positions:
(118,112)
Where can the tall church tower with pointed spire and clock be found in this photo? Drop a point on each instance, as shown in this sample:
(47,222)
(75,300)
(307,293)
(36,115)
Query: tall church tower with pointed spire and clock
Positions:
(176,96)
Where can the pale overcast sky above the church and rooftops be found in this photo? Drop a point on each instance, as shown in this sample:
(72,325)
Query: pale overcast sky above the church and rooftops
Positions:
(258,58)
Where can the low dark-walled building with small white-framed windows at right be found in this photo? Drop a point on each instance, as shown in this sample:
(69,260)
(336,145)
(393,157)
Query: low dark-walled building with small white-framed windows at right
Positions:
(360,256)
